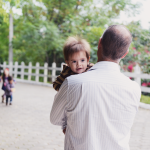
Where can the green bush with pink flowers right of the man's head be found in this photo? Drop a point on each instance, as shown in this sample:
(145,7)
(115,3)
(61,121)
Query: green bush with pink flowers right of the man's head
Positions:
(140,48)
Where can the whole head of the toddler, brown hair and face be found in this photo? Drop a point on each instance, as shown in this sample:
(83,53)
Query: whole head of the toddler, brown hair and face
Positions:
(77,54)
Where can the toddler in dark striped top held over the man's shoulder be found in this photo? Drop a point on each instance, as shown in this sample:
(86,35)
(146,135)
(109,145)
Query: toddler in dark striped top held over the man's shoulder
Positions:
(77,56)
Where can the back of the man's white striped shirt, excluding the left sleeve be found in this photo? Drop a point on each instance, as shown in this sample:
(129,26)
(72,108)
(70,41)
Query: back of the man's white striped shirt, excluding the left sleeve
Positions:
(101,106)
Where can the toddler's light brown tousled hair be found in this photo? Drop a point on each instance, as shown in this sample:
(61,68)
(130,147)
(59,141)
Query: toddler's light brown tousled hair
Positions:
(75,44)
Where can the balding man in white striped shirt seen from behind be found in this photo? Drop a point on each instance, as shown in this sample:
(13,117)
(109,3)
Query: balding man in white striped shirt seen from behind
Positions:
(99,105)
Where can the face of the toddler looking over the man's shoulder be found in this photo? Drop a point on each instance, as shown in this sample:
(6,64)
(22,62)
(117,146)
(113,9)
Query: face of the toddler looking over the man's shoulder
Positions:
(78,62)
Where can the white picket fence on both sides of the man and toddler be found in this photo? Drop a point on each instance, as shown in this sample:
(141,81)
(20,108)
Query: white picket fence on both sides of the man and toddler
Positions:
(49,73)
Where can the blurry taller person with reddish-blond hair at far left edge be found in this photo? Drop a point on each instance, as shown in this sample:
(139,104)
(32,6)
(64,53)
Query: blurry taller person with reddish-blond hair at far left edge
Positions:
(4,78)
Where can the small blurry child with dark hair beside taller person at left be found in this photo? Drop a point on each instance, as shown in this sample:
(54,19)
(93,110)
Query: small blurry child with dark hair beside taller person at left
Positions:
(9,89)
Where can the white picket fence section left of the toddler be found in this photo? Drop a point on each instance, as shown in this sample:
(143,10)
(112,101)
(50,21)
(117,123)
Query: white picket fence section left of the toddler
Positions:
(37,71)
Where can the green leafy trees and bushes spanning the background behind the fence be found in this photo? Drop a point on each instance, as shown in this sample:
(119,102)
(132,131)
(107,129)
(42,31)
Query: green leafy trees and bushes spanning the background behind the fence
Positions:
(43,27)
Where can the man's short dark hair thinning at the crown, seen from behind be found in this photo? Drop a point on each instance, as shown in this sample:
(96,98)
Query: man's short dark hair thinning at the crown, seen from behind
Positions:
(114,43)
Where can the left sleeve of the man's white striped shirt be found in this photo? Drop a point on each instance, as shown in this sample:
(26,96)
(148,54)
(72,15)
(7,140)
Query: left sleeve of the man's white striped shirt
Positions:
(59,108)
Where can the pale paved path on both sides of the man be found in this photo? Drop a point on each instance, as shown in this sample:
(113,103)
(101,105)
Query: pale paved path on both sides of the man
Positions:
(25,125)
